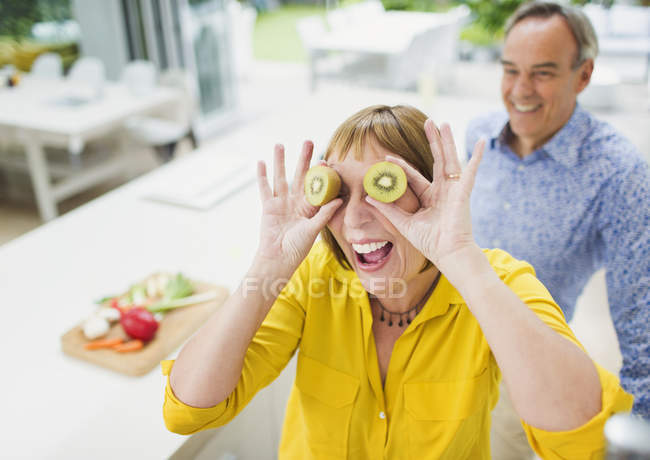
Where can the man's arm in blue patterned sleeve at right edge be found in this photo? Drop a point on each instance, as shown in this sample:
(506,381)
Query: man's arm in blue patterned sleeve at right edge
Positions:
(624,224)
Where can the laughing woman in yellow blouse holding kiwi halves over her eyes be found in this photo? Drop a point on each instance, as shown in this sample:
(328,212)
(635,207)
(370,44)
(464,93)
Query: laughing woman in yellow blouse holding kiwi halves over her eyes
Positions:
(403,325)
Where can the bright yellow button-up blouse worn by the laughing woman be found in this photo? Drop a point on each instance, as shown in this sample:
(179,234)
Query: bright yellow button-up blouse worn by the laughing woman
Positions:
(442,380)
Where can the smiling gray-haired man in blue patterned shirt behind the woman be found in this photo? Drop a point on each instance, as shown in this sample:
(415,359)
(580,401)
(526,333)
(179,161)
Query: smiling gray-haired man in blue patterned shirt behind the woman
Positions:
(562,190)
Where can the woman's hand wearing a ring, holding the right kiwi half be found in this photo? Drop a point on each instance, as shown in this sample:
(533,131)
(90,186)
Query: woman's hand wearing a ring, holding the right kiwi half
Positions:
(442,226)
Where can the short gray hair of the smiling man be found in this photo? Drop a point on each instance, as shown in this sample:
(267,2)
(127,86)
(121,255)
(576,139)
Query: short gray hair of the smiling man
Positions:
(577,21)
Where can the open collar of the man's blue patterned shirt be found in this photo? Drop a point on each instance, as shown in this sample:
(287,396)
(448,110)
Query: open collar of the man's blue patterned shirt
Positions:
(564,146)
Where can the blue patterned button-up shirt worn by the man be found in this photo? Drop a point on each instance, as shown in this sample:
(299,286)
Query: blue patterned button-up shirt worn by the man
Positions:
(578,203)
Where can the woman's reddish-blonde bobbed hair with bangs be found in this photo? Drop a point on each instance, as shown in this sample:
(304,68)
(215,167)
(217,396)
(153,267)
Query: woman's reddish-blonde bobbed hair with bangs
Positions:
(398,129)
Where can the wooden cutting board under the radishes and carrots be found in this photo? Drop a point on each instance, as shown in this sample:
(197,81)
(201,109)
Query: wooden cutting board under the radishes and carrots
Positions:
(176,326)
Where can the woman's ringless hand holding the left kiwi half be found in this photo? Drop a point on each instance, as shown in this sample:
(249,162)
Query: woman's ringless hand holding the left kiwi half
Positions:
(289,223)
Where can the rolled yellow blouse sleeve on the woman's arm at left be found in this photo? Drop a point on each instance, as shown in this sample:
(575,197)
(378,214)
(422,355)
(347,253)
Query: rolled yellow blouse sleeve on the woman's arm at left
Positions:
(268,353)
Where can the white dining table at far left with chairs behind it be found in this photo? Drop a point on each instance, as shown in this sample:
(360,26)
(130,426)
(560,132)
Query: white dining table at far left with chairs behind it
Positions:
(53,113)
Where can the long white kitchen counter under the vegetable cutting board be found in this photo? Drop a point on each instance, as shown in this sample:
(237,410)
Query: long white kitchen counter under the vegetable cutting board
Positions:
(59,407)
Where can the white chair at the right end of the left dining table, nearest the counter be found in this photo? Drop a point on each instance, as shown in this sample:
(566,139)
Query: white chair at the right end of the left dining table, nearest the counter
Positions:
(164,133)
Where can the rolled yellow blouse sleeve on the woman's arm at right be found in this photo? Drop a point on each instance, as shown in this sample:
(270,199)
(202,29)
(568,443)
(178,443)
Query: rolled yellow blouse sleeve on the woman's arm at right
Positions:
(588,440)
